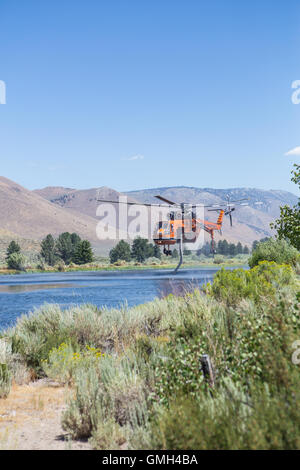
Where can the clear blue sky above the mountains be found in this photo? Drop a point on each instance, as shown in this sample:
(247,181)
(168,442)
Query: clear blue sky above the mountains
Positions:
(138,94)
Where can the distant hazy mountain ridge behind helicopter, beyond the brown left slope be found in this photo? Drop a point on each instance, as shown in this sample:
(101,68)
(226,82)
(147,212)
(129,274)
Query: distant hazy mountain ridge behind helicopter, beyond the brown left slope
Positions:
(251,222)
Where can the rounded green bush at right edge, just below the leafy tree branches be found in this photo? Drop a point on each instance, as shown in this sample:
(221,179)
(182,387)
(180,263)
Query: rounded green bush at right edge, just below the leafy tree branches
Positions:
(279,251)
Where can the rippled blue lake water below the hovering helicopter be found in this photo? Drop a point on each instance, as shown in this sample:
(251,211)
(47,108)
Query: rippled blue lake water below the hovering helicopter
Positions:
(25,292)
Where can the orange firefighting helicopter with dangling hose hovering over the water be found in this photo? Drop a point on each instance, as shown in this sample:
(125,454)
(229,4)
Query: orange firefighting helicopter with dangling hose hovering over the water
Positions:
(182,225)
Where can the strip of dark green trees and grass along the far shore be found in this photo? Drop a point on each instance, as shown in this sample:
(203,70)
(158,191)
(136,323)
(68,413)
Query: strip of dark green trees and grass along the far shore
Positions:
(142,255)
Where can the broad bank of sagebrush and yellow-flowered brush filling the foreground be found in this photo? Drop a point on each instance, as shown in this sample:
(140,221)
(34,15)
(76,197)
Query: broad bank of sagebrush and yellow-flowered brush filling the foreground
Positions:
(135,374)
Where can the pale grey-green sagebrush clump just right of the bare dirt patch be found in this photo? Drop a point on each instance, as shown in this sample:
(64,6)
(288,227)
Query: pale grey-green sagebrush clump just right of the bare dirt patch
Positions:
(113,391)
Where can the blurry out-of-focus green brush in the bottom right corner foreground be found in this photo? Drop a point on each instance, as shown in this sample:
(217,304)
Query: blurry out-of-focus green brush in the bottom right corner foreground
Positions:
(230,419)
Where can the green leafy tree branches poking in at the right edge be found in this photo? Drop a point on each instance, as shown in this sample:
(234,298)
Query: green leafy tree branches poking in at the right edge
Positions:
(287,225)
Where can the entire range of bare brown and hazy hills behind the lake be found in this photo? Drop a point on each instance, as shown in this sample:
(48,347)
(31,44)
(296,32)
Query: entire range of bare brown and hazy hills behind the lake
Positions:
(30,215)
